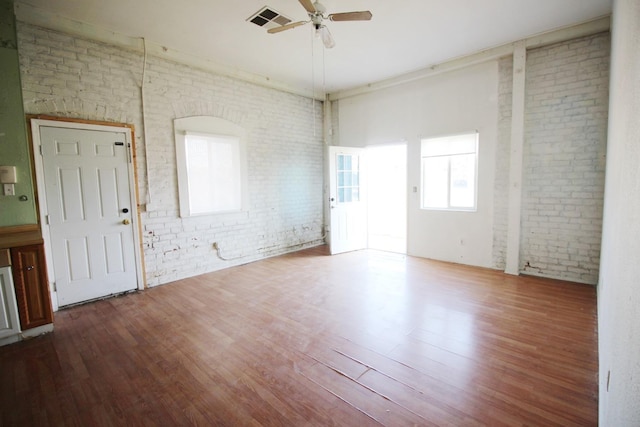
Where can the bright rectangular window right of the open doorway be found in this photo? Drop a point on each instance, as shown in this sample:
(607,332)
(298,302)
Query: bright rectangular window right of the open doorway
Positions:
(449,171)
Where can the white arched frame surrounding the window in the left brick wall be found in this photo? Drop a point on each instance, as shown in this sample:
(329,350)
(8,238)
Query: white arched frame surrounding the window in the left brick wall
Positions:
(217,129)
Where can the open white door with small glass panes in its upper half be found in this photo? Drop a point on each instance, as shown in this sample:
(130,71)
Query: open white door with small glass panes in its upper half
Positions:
(348,208)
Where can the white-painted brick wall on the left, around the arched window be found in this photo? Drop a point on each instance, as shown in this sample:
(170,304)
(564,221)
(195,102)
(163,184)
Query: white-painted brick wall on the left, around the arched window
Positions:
(72,77)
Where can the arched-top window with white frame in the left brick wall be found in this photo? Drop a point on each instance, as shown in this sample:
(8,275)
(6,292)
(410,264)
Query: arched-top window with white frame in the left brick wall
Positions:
(211,173)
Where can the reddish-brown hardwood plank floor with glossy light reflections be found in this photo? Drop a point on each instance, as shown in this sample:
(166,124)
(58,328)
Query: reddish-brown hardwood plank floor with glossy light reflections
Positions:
(364,338)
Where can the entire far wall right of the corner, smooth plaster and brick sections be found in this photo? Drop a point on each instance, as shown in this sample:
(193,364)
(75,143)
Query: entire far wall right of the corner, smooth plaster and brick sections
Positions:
(563,129)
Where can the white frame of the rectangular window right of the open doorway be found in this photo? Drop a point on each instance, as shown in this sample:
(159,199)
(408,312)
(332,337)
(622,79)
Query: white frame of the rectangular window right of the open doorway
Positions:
(448,153)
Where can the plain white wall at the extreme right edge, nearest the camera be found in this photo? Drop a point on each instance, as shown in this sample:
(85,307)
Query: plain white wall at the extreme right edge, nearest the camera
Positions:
(619,287)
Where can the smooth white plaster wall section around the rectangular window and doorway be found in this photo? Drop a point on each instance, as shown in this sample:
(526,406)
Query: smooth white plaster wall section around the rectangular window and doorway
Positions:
(455,102)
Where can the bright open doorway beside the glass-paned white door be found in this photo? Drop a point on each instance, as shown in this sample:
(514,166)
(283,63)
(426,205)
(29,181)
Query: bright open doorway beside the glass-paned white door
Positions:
(387,197)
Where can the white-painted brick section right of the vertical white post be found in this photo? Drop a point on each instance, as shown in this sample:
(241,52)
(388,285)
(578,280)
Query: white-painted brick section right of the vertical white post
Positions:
(564,158)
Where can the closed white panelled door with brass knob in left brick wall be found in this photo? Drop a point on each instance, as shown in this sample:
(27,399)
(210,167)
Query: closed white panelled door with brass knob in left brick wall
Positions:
(90,210)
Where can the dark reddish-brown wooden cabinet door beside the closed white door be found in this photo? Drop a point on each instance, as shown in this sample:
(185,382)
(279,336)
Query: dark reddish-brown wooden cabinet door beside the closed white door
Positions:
(32,288)
